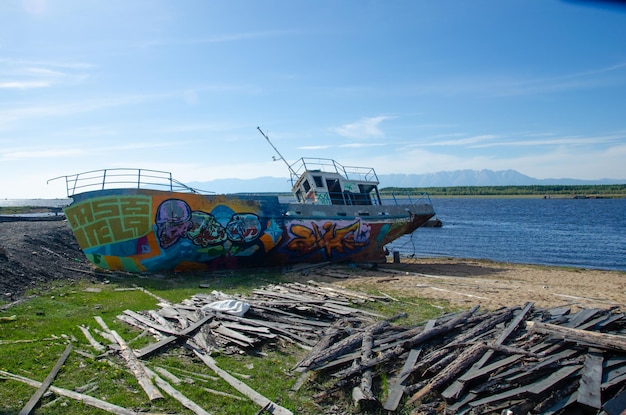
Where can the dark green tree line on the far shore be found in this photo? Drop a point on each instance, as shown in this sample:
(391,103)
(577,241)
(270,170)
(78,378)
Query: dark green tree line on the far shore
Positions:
(610,190)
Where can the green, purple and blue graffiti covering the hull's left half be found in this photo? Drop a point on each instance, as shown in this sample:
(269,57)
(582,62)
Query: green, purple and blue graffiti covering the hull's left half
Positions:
(124,232)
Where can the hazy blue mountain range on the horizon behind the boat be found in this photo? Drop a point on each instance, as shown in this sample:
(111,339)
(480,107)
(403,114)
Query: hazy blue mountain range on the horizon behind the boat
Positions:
(440,179)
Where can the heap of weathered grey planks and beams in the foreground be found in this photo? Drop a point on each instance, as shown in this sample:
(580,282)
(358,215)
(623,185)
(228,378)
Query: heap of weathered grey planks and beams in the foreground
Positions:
(518,360)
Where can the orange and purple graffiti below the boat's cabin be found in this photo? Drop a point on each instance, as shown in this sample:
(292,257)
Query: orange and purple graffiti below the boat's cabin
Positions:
(333,239)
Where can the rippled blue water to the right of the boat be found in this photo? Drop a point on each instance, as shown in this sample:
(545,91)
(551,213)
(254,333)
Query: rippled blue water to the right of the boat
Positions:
(585,233)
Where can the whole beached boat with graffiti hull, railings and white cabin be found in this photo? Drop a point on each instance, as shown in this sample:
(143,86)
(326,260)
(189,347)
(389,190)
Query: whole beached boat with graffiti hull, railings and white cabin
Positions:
(141,220)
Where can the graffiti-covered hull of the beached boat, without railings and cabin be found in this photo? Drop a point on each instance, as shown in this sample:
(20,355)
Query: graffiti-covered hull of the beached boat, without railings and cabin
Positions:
(139,230)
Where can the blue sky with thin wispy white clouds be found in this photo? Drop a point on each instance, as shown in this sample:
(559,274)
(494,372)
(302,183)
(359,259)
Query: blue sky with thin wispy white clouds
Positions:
(404,86)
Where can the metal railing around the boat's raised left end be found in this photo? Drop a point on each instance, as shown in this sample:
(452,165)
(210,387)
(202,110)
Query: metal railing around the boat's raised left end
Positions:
(123,178)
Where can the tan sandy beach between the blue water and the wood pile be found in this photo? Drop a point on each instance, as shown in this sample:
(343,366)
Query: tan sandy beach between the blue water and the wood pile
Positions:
(466,282)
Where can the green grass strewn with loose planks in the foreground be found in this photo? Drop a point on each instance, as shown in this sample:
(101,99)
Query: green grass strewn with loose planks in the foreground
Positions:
(31,344)
